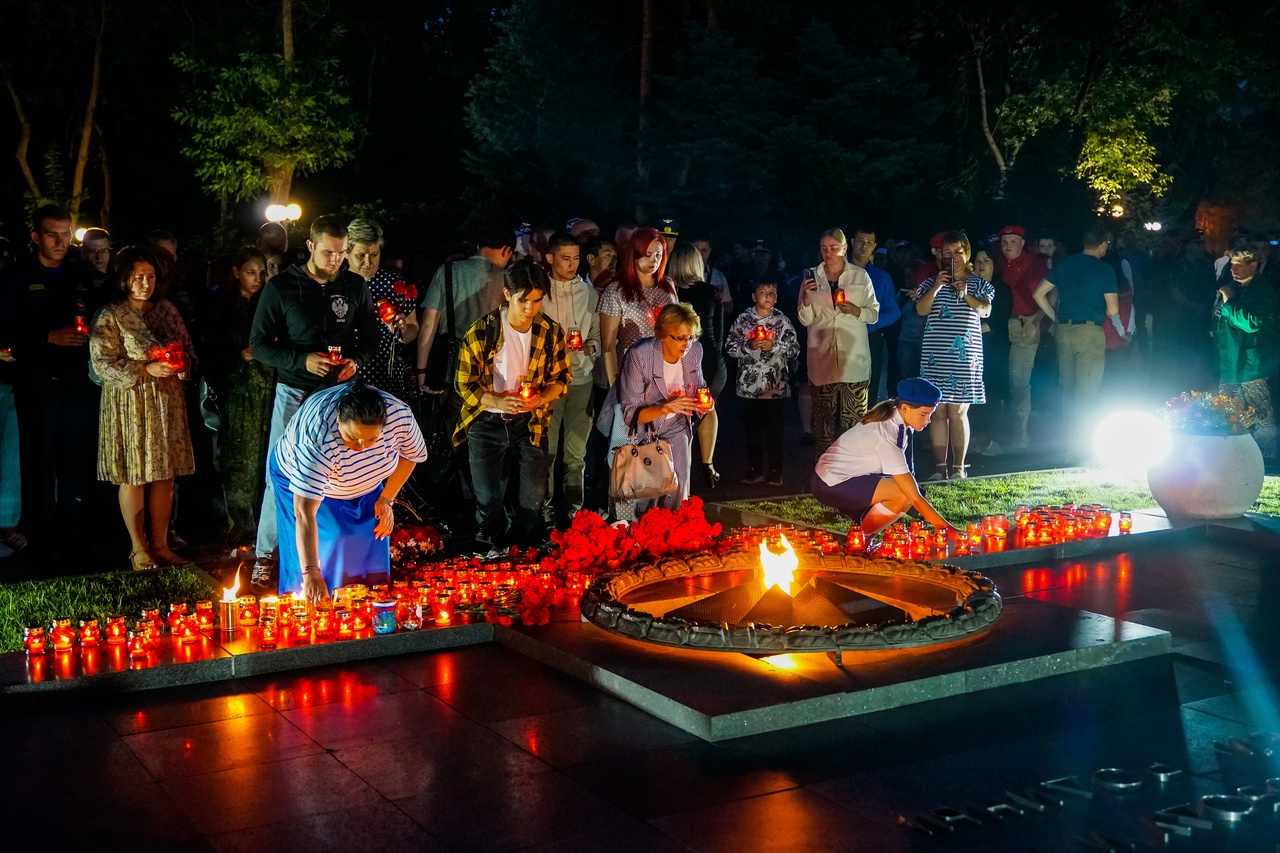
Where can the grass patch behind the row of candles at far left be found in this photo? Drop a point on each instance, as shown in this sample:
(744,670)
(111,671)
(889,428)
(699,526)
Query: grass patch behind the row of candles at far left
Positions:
(40,603)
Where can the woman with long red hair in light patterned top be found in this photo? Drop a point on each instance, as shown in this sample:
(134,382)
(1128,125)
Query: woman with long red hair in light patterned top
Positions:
(630,304)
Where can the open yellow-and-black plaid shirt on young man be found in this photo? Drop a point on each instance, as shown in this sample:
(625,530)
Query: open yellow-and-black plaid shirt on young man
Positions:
(548,363)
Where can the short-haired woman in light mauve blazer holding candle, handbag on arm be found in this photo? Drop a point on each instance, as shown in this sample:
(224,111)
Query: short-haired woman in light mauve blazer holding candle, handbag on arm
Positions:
(659,385)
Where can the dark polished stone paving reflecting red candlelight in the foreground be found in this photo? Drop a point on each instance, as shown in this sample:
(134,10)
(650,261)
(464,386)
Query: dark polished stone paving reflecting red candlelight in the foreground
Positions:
(483,750)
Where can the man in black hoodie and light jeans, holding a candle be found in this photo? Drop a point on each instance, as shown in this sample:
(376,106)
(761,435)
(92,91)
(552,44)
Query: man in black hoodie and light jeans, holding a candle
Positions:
(316,325)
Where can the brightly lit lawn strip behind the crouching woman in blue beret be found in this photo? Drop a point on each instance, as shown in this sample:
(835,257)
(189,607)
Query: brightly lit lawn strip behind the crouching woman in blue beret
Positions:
(962,501)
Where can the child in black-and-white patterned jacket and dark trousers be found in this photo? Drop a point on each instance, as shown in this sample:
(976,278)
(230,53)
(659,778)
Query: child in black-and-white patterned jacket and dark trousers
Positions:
(764,341)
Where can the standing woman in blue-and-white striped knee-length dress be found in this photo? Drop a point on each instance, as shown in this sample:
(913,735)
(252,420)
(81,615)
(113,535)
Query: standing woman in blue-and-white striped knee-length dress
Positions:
(956,302)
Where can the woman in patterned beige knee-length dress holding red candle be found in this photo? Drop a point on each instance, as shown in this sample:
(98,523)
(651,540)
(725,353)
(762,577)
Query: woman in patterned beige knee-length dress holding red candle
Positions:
(140,348)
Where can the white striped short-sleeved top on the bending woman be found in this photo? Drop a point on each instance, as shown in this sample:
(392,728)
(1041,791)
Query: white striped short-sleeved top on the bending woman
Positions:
(317,463)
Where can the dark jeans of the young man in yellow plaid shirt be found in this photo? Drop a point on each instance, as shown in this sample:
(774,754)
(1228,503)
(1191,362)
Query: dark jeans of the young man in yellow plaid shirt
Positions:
(493,443)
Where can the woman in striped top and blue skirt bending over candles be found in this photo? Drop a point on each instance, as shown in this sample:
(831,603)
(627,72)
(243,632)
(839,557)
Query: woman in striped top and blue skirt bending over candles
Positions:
(337,471)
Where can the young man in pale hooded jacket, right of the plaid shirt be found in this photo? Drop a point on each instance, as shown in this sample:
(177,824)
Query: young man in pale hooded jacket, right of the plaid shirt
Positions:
(573,304)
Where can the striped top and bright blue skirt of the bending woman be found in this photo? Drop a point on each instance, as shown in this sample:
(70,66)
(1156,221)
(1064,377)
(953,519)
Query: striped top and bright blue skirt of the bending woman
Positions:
(310,462)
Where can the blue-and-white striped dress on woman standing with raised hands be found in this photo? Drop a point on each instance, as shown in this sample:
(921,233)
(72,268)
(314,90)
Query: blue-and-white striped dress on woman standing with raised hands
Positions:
(952,353)
